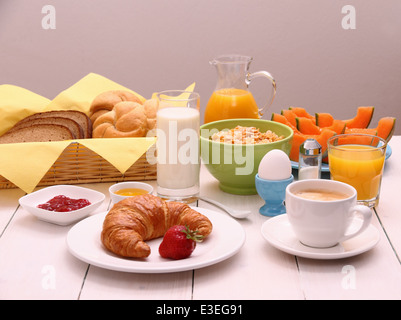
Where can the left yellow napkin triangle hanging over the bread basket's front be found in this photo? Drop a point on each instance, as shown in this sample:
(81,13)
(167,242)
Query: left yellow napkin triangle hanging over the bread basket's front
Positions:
(25,164)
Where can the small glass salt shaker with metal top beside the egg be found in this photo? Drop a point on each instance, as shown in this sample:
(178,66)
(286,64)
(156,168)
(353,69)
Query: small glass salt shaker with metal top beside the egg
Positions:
(310,160)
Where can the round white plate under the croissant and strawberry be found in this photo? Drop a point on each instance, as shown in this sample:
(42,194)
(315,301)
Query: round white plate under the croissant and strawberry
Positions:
(226,239)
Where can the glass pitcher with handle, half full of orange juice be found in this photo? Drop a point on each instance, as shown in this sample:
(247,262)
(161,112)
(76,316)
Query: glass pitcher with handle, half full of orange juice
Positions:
(231,98)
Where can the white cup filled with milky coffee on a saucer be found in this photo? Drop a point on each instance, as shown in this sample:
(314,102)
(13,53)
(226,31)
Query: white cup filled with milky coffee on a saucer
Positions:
(321,211)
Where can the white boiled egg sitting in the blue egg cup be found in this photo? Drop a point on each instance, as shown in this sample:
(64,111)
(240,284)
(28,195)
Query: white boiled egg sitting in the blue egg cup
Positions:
(275,165)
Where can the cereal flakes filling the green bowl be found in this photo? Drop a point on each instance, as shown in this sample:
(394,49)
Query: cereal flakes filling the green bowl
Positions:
(245,135)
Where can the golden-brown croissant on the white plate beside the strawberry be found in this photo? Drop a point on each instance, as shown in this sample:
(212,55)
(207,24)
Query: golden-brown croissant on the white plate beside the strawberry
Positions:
(137,219)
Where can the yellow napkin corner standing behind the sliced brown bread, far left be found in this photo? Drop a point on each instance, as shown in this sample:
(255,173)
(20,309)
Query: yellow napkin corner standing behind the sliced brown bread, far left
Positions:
(17,103)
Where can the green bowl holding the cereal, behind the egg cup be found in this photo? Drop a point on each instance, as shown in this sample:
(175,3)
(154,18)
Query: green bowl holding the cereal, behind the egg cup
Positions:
(235,166)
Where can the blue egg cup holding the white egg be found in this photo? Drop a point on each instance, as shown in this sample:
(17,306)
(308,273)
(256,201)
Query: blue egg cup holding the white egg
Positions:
(273,193)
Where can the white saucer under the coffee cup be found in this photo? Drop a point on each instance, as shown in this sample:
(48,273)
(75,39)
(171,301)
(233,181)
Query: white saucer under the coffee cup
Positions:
(278,232)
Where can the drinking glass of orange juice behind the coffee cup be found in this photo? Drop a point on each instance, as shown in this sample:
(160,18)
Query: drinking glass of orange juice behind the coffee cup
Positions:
(358,159)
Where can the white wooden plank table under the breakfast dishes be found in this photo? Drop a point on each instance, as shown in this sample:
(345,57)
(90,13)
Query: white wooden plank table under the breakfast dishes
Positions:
(35,262)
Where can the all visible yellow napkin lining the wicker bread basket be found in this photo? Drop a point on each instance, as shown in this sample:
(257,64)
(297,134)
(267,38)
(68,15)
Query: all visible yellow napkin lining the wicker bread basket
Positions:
(25,164)
